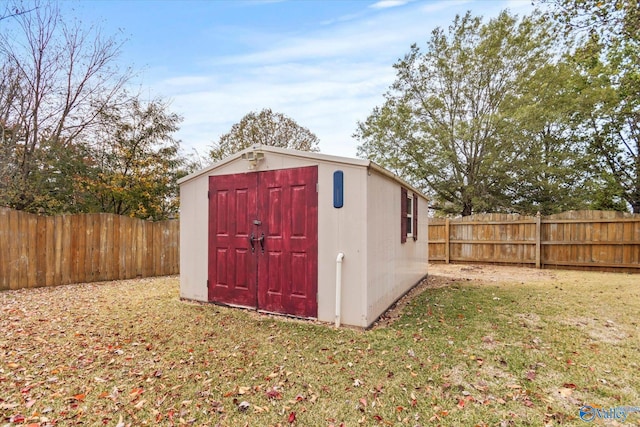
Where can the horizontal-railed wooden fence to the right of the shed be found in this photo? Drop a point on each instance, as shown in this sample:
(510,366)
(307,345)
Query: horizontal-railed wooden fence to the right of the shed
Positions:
(597,240)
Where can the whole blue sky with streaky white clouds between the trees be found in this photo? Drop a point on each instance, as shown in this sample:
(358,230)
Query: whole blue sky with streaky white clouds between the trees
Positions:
(326,64)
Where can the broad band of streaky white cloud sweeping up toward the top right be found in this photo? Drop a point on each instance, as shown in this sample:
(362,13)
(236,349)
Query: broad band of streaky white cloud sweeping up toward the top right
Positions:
(327,79)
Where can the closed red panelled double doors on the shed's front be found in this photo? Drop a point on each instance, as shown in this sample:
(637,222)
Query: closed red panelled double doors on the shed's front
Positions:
(263,240)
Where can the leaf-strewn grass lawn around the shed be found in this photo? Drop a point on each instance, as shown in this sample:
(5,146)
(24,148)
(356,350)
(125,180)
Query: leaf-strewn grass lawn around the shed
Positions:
(461,352)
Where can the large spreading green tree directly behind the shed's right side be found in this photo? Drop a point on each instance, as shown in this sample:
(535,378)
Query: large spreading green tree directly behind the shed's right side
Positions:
(444,126)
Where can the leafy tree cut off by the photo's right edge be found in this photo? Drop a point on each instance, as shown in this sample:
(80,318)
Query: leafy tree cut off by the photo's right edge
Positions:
(607,54)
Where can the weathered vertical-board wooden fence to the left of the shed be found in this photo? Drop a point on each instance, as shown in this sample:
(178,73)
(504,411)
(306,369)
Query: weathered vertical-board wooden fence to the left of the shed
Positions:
(47,251)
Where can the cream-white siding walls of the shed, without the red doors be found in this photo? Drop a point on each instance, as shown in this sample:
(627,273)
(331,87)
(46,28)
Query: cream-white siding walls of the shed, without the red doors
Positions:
(377,268)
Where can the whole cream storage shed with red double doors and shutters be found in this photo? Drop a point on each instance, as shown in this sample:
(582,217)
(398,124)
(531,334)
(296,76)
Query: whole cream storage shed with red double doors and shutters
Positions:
(301,234)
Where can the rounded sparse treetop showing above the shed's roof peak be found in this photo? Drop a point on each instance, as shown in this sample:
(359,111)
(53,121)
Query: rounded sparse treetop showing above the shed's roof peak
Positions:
(266,128)
